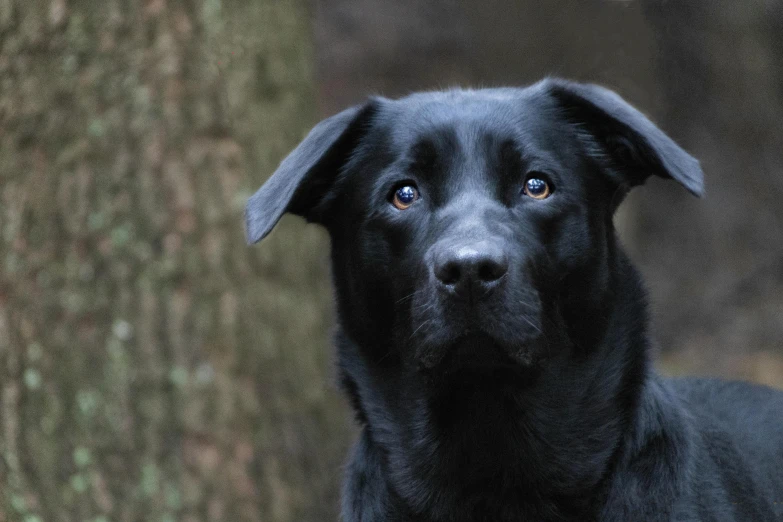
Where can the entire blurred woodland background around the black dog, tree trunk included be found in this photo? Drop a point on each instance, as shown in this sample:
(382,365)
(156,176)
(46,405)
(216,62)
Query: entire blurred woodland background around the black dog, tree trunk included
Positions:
(153,367)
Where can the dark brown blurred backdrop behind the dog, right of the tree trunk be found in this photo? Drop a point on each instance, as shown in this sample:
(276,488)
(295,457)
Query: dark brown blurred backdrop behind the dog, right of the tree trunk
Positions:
(710,73)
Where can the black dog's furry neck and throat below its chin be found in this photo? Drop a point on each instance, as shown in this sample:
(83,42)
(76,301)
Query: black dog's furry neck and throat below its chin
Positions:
(494,442)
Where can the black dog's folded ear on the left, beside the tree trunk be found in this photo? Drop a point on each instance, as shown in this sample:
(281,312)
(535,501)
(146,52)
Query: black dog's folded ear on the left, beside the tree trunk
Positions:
(305,175)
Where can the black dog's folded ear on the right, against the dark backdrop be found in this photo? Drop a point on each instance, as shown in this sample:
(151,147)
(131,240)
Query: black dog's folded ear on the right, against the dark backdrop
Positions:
(632,145)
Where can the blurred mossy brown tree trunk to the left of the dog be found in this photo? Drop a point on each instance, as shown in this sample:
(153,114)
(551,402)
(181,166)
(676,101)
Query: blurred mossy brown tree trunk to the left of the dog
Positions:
(154,367)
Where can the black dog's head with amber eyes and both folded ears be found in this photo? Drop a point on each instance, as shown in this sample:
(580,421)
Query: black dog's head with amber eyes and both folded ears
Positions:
(471,229)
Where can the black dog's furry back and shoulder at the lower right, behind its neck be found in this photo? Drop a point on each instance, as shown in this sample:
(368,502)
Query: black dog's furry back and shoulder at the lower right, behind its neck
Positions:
(715,447)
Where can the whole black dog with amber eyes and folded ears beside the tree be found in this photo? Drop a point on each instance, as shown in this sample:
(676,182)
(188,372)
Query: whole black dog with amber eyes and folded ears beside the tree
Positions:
(493,335)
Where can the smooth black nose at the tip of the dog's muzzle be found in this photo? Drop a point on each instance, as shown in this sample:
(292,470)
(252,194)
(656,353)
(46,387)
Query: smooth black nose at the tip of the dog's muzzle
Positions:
(473,267)
